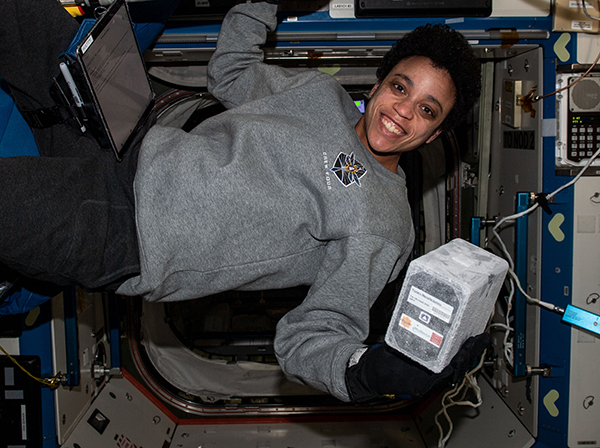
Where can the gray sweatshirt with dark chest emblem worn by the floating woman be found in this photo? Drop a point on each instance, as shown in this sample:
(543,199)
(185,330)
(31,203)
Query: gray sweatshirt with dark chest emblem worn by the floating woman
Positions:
(277,191)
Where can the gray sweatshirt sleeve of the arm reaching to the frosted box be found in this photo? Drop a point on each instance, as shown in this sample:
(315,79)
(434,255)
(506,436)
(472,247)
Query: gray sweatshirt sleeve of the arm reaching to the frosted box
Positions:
(315,340)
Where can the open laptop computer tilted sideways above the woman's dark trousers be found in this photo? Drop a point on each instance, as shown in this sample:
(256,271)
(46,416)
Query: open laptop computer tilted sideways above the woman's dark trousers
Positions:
(107,81)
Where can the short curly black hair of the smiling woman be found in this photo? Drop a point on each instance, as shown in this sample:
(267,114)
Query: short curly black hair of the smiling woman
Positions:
(449,50)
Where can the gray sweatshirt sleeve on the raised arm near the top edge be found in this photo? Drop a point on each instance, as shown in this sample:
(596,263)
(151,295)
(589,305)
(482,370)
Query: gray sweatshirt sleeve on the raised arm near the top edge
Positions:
(236,71)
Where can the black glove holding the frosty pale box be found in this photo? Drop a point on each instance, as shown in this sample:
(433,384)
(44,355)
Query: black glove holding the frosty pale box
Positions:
(383,373)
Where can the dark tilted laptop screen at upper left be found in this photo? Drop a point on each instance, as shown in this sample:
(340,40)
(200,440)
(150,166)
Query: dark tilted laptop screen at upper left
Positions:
(115,69)
